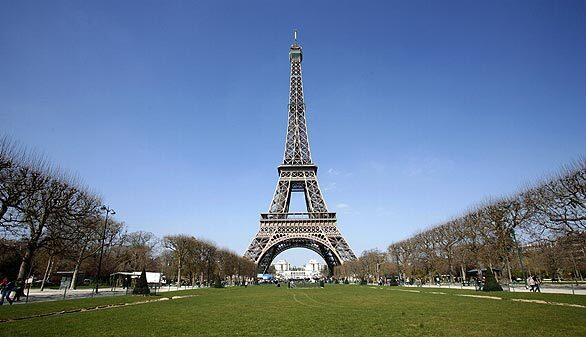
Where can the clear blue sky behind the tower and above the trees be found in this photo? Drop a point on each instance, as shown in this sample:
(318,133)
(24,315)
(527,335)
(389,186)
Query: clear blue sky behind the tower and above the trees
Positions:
(175,111)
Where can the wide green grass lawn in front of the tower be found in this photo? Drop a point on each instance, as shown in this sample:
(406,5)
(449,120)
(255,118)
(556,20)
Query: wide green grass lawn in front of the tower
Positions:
(332,311)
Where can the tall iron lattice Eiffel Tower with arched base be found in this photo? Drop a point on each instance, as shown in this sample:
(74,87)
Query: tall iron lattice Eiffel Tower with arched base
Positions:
(316,229)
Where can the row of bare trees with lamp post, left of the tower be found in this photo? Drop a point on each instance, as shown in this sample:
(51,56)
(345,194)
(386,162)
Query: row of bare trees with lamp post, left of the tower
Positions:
(50,222)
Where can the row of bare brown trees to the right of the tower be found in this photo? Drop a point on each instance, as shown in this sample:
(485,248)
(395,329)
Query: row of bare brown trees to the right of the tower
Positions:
(540,231)
